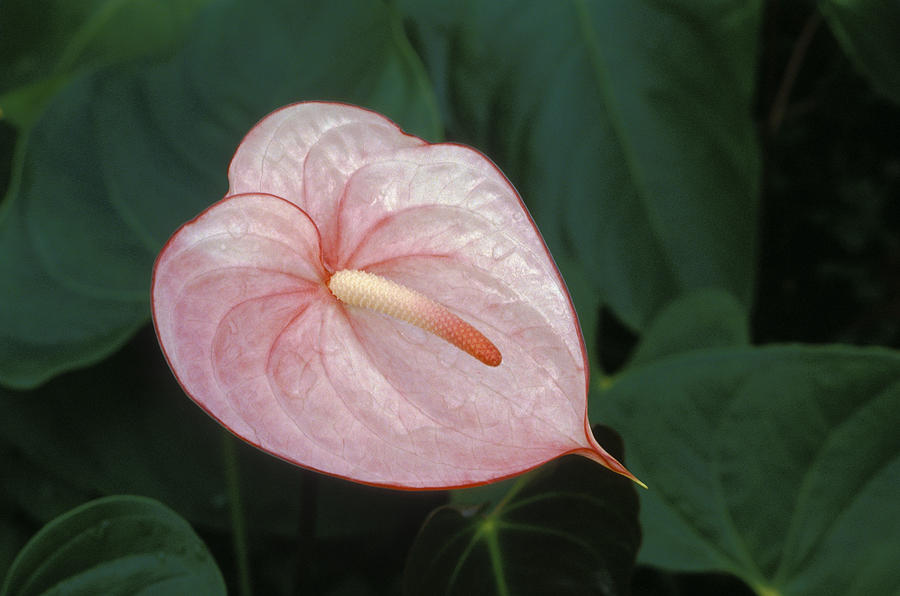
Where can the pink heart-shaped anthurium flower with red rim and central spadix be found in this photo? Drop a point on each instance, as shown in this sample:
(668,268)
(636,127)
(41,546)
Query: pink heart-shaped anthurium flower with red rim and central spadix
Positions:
(375,307)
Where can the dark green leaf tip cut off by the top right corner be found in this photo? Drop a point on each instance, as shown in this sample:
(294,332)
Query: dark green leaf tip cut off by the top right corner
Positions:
(868,31)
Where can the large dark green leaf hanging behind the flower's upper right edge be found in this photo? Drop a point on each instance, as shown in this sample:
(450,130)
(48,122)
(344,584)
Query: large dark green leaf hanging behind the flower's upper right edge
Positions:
(626,126)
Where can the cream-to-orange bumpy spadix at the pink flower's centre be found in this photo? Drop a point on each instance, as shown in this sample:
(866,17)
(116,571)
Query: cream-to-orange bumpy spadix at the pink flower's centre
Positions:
(367,290)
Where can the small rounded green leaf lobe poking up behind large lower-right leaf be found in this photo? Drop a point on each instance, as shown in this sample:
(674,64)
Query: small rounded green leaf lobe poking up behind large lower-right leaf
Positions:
(708,318)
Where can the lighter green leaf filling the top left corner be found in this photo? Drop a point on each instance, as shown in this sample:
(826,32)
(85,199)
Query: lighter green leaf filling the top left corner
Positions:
(45,42)
